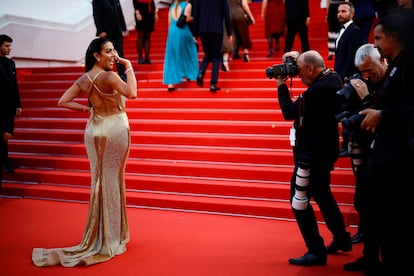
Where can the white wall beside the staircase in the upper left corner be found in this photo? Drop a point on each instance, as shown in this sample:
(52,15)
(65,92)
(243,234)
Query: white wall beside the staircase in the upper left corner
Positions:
(51,32)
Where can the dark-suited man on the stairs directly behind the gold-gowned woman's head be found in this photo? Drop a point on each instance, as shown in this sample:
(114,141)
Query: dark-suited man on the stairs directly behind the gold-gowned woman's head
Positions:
(110,23)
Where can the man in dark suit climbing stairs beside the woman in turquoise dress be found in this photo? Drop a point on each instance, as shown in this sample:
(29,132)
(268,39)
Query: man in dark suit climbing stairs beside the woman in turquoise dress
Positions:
(208,25)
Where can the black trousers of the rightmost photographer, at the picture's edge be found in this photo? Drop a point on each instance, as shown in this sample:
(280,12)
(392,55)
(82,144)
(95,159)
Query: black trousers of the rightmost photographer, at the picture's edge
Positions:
(389,215)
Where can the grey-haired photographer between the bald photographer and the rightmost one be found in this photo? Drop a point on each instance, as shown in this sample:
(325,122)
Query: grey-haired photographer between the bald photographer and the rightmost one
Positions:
(362,94)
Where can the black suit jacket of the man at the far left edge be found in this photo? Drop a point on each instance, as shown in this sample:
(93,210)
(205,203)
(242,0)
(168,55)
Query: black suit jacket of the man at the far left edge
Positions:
(9,94)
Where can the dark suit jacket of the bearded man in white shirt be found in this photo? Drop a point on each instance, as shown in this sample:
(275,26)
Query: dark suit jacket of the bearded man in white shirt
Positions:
(348,44)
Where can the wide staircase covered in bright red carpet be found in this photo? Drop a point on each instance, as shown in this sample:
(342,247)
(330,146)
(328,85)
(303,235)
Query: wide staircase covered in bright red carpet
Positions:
(225,152)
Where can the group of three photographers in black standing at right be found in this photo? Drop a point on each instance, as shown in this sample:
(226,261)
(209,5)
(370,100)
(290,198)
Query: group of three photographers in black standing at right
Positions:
(376,107)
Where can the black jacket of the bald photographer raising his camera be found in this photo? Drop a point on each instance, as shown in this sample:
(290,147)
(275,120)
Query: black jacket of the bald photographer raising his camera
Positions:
(317,138)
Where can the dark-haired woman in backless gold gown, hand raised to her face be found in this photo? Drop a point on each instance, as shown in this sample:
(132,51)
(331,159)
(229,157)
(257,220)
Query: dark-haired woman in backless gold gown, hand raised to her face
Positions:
(107,142)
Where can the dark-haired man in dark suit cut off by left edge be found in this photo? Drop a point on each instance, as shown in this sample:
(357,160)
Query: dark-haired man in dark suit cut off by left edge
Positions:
(10,105)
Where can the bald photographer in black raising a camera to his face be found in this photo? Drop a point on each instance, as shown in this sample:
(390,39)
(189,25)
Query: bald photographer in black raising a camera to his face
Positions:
(315,141)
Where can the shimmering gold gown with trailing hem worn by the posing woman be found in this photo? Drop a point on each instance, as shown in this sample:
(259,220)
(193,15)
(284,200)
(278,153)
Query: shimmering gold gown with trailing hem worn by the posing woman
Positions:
(107,142)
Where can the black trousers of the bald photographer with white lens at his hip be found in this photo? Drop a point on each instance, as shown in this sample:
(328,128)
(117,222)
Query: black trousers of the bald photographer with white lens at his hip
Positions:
(319,189)
